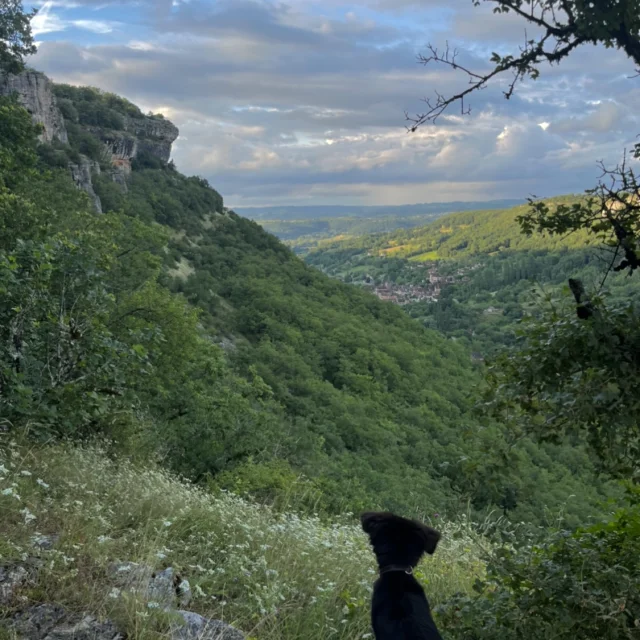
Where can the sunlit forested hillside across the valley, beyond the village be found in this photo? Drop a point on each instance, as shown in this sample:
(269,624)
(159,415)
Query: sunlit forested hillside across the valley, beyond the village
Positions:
(494,275)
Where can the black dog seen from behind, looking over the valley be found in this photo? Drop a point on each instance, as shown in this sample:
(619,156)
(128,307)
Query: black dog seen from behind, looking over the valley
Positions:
(400,610)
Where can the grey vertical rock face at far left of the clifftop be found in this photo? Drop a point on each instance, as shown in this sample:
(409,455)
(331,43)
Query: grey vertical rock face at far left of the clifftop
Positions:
(35,93)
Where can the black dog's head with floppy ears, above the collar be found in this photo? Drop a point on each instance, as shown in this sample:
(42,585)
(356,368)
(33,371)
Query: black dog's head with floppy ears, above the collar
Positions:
(397,540)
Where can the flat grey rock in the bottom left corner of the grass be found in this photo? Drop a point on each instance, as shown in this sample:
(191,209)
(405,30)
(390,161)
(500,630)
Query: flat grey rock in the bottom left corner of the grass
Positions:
(51,622)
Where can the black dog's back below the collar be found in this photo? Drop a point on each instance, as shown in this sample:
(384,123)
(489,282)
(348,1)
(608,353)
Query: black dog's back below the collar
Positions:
(400,610)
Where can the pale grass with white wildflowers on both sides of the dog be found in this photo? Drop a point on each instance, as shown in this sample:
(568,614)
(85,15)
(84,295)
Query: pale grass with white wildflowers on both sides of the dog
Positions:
(273,575)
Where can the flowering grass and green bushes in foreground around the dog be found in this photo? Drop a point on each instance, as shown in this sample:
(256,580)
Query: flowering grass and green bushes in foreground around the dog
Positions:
(278,575)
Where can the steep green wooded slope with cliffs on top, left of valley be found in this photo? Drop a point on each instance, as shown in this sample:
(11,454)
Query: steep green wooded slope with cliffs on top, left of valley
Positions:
(205,342)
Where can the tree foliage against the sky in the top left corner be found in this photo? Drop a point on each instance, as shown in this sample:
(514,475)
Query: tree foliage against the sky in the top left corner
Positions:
(16,38)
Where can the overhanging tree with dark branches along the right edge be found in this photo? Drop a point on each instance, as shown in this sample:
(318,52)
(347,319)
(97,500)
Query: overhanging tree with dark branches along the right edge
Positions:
(578,371)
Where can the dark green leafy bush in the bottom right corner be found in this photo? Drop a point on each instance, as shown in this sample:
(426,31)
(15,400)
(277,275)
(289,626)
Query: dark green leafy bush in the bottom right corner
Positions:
(576,585)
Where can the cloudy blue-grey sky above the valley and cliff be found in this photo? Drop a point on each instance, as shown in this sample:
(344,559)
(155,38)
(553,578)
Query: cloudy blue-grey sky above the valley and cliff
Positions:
(302,102)
